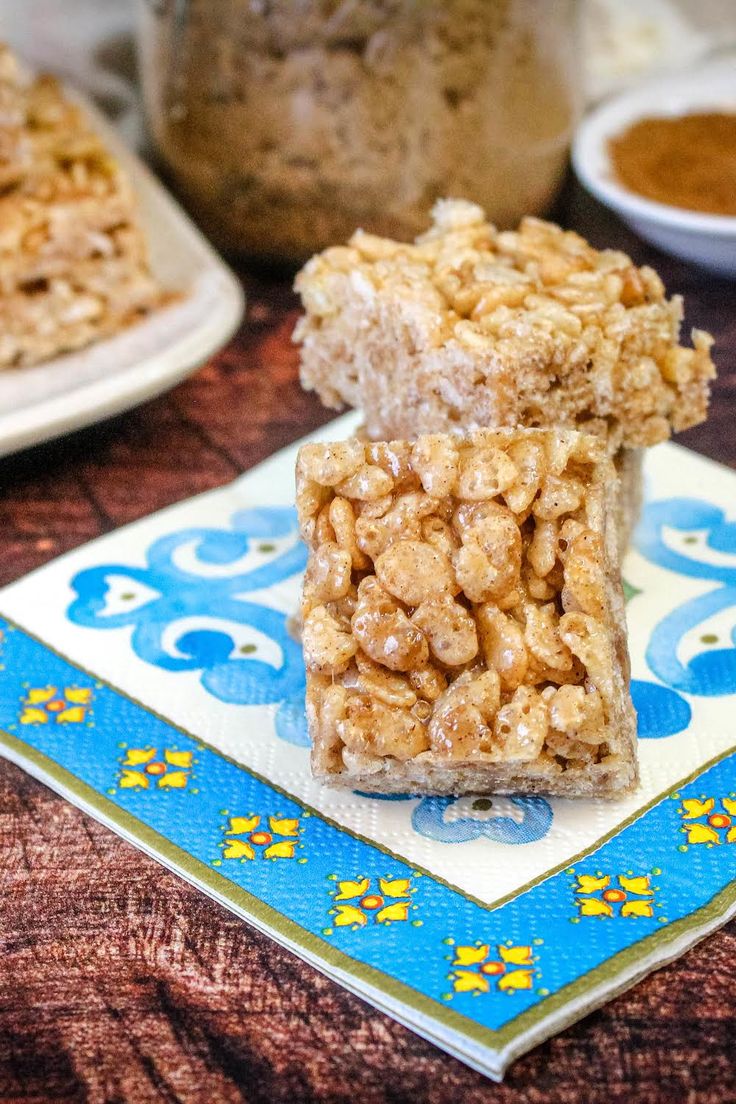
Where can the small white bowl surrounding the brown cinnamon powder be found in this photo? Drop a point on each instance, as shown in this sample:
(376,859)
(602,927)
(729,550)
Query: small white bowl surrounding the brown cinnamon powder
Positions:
(709,240)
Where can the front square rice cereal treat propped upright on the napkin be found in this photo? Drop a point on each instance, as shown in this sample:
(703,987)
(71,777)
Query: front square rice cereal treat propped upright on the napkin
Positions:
(464,625)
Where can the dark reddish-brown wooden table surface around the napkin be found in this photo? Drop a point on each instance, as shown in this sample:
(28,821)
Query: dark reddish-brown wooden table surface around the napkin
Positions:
(121,983)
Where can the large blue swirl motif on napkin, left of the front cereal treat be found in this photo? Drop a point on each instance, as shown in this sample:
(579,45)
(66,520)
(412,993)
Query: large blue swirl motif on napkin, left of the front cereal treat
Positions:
(227,674)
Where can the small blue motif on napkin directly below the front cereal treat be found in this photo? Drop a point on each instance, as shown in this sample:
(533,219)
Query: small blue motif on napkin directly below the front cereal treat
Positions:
(503,820)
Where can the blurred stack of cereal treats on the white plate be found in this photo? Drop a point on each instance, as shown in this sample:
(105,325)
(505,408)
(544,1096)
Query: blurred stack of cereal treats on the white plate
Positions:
(73,264)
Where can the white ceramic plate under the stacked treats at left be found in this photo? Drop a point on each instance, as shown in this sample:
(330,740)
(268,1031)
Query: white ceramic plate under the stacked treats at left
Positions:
(82,388)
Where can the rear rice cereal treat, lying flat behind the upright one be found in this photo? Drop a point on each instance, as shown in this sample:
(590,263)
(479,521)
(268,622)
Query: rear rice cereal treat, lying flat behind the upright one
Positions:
(470,327)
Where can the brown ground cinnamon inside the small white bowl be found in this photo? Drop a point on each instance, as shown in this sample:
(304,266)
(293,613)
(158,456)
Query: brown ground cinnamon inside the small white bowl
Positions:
(687,162)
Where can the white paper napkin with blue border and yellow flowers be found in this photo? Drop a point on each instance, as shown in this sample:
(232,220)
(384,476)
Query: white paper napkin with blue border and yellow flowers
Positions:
(152,678)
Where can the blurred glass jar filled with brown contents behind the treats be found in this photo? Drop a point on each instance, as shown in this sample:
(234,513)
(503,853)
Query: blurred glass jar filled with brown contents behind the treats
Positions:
(286,124)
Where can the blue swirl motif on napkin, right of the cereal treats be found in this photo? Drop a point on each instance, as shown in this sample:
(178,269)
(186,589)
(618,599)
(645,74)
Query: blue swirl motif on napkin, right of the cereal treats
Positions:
(712,672)
